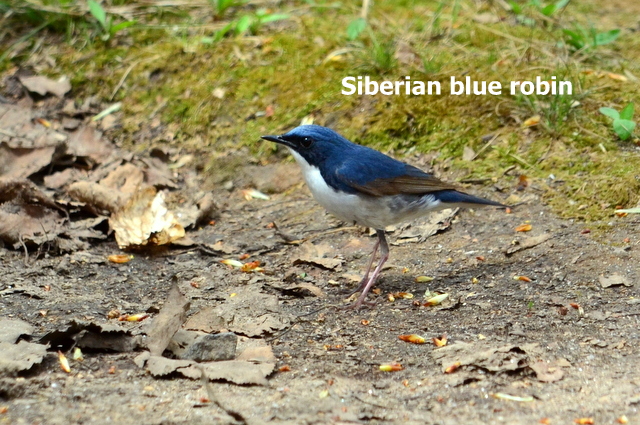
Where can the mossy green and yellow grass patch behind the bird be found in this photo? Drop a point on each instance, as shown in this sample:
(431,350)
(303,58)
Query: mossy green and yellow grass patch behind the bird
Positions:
(295,66)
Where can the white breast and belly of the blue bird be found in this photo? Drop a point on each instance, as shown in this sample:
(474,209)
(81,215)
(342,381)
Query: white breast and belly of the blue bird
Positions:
(369,211)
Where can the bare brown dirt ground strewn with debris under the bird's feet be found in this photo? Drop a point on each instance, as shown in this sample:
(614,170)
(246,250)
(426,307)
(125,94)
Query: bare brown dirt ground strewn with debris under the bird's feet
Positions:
(562,342)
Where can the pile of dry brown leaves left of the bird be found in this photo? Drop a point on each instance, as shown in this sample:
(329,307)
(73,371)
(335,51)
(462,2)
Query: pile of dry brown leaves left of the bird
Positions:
(61,180)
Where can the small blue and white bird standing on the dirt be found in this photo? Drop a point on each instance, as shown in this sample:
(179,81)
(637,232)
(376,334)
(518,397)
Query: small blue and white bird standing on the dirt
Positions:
(361,185)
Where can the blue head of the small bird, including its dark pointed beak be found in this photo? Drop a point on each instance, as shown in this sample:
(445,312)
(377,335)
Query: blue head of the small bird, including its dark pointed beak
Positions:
(314,143)
